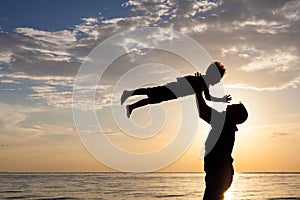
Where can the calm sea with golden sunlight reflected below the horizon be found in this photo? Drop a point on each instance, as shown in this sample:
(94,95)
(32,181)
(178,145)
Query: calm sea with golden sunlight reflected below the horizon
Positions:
(148,186)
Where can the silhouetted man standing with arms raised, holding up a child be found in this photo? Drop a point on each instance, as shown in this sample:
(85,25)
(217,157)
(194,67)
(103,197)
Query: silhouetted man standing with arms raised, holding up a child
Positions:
(218,146)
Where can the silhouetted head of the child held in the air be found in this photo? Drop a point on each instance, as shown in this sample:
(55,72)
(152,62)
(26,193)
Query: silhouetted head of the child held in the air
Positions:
(215,72)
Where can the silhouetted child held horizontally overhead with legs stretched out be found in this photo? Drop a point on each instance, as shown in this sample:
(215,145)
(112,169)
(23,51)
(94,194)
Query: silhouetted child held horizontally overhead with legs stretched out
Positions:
(184,86)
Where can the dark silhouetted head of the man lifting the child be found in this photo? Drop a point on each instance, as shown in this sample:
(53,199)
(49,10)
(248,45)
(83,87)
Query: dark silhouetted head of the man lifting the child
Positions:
(237,113)
